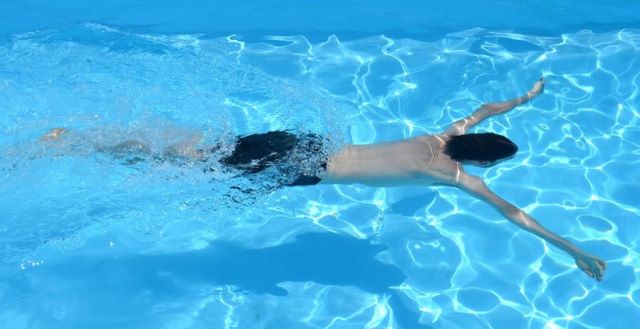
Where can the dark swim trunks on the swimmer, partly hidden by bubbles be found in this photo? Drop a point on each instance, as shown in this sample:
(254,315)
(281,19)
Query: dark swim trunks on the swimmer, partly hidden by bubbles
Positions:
(297,157)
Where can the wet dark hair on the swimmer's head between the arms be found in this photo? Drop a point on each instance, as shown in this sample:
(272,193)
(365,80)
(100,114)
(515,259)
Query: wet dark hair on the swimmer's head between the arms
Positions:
(479,147)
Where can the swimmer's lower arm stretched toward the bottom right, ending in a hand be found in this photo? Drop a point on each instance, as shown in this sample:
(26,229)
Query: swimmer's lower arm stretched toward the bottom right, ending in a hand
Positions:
(591,265)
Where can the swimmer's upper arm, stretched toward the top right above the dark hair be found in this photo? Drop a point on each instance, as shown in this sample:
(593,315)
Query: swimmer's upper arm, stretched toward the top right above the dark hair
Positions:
(490,109)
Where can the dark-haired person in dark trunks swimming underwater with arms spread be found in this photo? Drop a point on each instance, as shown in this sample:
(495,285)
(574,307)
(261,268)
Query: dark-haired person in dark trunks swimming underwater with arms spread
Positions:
(423,160)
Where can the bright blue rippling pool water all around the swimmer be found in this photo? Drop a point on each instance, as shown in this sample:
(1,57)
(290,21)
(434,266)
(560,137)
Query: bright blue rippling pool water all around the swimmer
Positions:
(87,241)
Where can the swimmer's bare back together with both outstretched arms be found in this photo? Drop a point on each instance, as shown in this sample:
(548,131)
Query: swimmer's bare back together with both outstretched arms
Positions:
(422,161)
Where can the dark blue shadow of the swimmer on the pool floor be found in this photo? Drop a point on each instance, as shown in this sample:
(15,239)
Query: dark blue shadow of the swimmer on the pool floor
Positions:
(323,258)
